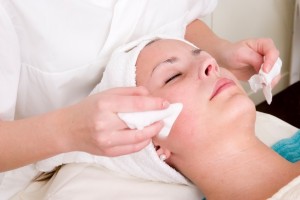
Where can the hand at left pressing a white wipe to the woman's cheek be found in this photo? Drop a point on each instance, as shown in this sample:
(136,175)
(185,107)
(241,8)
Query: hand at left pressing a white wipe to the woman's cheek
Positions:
(96,128)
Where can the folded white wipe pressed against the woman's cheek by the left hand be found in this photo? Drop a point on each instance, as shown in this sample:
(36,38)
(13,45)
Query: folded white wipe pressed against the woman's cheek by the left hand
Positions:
(139,120)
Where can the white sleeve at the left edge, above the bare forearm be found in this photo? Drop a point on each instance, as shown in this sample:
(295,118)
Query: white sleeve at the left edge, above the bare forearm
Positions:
(9,66)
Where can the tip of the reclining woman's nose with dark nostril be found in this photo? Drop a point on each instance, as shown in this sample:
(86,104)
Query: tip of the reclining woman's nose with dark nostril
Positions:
(208,68)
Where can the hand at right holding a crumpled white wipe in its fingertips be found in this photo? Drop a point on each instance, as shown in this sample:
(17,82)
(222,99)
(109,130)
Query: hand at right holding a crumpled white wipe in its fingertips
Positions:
(246,57)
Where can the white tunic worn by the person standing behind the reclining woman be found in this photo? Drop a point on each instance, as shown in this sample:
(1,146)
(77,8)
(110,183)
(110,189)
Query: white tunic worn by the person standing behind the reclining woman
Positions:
(52,53)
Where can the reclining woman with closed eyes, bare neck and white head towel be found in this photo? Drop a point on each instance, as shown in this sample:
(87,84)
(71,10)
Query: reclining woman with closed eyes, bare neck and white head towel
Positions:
(212,142)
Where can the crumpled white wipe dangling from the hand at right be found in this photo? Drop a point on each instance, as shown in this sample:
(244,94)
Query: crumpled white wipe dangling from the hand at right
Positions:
(264,80)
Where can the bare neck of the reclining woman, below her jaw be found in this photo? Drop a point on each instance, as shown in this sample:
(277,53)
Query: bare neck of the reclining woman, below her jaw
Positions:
(232,168)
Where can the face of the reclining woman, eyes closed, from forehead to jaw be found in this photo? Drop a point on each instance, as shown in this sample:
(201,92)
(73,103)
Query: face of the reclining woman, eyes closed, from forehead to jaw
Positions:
(211,96)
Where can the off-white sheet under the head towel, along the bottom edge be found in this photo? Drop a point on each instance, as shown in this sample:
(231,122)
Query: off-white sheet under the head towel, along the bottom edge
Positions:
(91,181)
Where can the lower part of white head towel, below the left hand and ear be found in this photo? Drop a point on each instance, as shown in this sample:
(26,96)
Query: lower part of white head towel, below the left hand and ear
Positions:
(144,164)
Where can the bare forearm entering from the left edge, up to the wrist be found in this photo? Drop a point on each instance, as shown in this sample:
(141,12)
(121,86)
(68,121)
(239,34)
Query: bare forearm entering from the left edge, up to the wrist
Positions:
(26,141)
